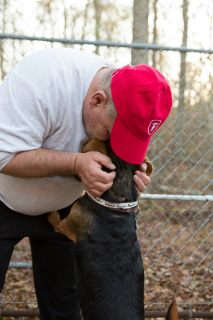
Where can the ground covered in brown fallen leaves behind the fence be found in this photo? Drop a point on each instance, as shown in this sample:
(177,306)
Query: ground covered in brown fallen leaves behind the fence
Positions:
(177,255)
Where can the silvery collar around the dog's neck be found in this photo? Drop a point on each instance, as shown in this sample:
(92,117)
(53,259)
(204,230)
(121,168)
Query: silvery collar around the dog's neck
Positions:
(124,207)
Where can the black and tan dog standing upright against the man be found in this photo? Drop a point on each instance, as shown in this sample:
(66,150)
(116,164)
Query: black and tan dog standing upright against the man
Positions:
(110,268)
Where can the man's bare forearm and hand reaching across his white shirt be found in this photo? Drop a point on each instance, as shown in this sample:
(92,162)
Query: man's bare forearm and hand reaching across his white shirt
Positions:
(46,162)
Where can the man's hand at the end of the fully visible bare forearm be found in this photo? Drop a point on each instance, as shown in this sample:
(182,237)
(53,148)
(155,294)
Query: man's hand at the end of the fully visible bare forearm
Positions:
(88,166)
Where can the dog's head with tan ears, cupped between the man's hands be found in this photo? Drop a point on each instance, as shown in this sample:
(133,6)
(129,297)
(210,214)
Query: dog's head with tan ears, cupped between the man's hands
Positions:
(123,189)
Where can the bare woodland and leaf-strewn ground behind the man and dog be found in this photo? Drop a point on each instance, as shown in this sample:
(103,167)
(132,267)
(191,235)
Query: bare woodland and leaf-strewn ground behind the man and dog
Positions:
(177,37)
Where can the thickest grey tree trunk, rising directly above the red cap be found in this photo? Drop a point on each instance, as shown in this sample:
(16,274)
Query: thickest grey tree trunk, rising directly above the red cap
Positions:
(140,30)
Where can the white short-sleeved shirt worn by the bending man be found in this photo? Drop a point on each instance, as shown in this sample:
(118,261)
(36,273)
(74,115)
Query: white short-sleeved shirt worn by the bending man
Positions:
(41,103)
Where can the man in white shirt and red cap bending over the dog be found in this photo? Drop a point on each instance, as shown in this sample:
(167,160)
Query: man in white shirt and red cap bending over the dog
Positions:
(50,104)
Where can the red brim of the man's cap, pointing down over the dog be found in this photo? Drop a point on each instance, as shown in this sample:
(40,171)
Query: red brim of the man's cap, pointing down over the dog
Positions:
(127,146)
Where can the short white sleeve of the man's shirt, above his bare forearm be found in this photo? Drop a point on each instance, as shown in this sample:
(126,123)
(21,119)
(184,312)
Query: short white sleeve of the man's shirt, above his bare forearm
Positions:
(22,118)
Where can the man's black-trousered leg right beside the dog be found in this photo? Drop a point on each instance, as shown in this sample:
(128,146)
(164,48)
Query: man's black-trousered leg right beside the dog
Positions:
(55,276)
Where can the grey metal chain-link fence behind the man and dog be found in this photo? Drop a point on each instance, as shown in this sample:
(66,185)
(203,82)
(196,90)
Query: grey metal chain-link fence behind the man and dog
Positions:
(175,228)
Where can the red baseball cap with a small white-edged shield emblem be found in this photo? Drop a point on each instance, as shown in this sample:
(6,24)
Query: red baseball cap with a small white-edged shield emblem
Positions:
(143,100)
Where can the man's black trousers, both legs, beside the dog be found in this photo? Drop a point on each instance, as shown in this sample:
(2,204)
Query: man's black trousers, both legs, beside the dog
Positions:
(53,257)
